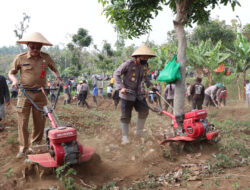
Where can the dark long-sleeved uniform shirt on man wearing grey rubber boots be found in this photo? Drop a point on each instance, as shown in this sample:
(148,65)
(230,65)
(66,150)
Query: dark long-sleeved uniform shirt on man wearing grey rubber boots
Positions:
(133,74)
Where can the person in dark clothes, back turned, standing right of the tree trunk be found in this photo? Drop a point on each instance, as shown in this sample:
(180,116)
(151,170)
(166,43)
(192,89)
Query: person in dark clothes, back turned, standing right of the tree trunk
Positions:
(197,92)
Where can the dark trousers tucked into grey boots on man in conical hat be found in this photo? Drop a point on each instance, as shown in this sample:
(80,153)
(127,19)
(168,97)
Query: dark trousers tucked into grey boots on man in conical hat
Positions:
(127,107)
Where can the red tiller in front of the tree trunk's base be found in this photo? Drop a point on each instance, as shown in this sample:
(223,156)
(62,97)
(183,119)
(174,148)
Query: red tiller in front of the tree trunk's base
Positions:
(195,126)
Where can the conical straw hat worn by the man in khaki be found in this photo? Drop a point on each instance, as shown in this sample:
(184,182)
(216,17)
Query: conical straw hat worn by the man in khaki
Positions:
(34,37)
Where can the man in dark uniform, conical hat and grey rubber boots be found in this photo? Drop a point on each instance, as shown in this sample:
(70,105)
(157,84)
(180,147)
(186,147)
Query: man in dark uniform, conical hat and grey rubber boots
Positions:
(134,72)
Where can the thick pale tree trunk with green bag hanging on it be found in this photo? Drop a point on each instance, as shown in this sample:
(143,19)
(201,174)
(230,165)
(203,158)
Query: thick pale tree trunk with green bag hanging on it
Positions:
(179,23)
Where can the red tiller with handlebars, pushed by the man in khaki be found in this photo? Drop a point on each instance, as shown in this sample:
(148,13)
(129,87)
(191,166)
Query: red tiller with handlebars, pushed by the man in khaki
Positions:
(61,141)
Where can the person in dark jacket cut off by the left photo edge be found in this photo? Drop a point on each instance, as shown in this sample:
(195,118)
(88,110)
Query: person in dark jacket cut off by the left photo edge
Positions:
(4,98)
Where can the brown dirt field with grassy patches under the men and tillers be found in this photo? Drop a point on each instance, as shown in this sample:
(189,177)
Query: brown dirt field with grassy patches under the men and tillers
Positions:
(142,164)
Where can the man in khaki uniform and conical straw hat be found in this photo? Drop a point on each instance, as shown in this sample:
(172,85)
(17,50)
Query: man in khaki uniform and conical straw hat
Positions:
(32,66)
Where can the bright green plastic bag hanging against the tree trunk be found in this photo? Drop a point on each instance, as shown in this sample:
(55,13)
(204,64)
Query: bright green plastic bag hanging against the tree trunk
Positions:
(171,72)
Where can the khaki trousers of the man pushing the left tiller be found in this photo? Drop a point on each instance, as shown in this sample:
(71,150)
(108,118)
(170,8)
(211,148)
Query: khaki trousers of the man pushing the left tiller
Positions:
(24,106)
